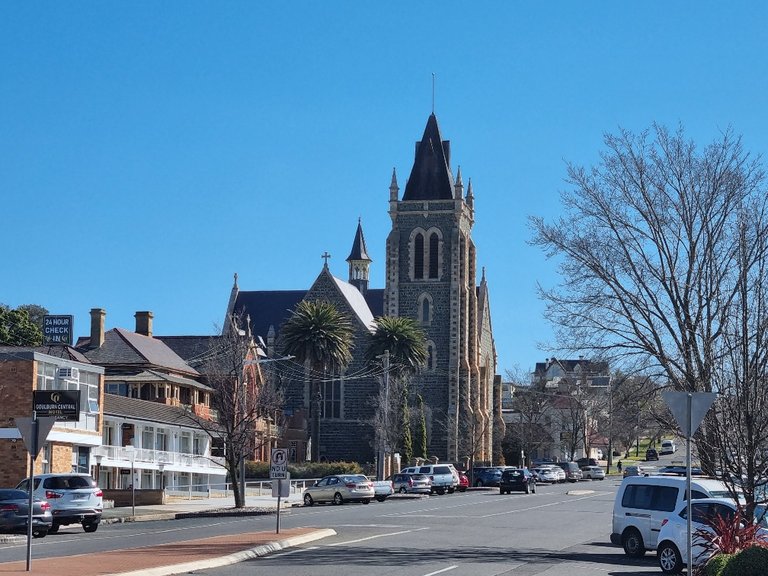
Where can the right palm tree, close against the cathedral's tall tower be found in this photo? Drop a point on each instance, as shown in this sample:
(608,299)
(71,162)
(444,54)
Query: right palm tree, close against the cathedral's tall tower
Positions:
(401,344)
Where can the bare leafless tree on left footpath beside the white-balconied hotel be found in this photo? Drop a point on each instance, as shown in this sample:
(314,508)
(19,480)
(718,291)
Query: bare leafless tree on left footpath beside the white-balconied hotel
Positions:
(245,403)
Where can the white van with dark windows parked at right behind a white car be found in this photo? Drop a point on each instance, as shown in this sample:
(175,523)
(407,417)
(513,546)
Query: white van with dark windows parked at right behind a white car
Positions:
(643,502)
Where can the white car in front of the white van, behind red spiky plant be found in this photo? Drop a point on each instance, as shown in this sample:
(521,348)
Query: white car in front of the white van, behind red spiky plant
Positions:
(672,550)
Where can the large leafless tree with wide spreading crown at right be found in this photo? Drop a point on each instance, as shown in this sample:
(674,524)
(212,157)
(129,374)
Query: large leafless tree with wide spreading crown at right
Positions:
(660,251)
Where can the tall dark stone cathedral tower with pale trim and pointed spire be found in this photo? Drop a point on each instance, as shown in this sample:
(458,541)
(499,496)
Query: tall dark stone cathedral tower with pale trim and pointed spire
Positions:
(431,276)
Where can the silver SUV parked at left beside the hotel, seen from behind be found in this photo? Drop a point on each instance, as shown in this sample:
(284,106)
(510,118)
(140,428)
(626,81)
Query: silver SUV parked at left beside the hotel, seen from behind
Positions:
(74,499)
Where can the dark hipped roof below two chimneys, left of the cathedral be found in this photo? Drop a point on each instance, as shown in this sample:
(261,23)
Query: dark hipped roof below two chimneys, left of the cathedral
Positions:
(125,348)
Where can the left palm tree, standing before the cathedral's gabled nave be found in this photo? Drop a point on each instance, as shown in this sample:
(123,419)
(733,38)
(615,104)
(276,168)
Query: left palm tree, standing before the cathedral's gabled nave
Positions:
(318,333)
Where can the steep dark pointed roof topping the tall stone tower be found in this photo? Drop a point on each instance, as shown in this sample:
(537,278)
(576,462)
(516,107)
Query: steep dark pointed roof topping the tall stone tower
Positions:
(431,177)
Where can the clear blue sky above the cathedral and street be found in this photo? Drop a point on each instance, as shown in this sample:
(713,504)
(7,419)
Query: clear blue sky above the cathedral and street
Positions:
(150,150)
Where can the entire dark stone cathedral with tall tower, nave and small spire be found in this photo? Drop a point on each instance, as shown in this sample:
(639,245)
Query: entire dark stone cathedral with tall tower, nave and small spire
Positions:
(431,276)
